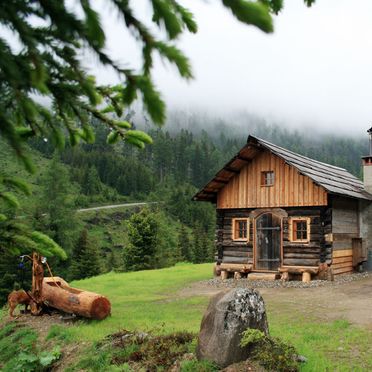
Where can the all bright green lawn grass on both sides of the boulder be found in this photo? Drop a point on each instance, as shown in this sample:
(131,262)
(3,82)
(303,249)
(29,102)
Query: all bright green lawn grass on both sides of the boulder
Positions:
(149,301)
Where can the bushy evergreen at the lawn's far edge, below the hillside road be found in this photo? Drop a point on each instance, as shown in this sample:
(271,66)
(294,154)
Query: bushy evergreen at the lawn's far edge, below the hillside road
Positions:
(143,237)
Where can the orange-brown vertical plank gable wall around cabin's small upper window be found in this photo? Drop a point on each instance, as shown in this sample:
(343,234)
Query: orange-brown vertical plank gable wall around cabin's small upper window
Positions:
(291,188)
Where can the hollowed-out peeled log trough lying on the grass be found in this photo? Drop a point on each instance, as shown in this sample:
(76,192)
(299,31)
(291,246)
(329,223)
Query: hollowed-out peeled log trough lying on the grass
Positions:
(58,294)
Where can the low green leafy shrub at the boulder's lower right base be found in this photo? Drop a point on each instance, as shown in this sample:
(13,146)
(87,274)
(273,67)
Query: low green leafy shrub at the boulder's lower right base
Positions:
(272,353)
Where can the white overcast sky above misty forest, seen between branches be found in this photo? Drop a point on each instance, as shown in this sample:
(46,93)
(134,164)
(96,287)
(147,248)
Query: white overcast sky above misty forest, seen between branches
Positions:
(316,69)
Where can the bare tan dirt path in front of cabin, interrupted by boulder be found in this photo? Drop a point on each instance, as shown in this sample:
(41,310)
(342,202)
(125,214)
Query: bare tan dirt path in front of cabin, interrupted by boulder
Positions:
(351,301)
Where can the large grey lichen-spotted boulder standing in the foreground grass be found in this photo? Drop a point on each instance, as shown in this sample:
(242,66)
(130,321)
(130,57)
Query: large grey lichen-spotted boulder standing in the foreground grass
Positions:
(227,317)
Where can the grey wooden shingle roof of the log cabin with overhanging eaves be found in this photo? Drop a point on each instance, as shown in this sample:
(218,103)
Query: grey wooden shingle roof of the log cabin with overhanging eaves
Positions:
(334,179)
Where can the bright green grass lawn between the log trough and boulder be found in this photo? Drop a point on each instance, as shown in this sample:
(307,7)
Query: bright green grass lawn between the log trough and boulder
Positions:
(146,300)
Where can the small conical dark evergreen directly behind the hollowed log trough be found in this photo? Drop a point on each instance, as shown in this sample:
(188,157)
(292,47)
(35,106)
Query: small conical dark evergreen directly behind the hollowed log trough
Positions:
(85,258)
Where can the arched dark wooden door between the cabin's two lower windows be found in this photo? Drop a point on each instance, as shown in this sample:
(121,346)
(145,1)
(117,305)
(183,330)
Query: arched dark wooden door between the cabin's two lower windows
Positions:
(268,241)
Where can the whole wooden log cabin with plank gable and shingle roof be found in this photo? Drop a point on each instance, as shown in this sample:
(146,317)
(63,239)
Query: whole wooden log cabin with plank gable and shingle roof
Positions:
(283,215)
